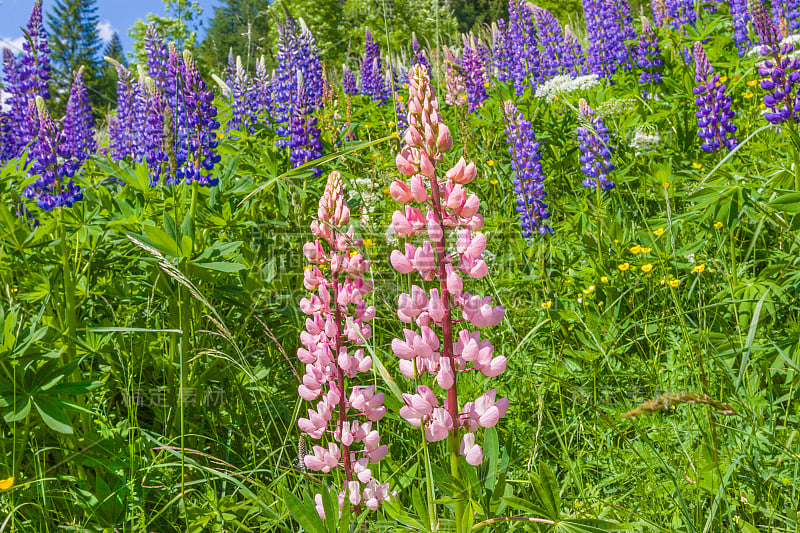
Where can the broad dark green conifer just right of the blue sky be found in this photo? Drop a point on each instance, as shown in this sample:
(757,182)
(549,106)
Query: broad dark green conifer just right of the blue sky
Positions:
(239,25)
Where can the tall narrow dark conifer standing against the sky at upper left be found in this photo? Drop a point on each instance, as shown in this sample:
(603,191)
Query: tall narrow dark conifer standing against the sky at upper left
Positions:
(74,43)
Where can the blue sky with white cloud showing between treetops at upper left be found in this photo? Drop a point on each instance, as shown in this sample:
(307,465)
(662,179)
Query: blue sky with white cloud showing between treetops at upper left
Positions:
(114,15)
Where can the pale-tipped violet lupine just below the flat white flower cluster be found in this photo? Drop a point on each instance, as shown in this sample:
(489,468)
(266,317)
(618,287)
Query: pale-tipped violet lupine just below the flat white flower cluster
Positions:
(593,142)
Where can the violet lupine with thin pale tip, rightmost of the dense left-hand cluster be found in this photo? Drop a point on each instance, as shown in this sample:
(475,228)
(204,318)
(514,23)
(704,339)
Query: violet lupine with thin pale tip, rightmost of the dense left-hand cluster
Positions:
(201,126)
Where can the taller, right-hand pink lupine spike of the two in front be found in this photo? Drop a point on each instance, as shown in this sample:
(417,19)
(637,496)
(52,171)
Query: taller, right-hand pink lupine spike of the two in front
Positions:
(451,218)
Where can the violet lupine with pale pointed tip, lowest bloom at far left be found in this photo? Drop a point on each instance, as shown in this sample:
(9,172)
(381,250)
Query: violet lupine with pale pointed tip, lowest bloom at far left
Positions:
(53,163)
